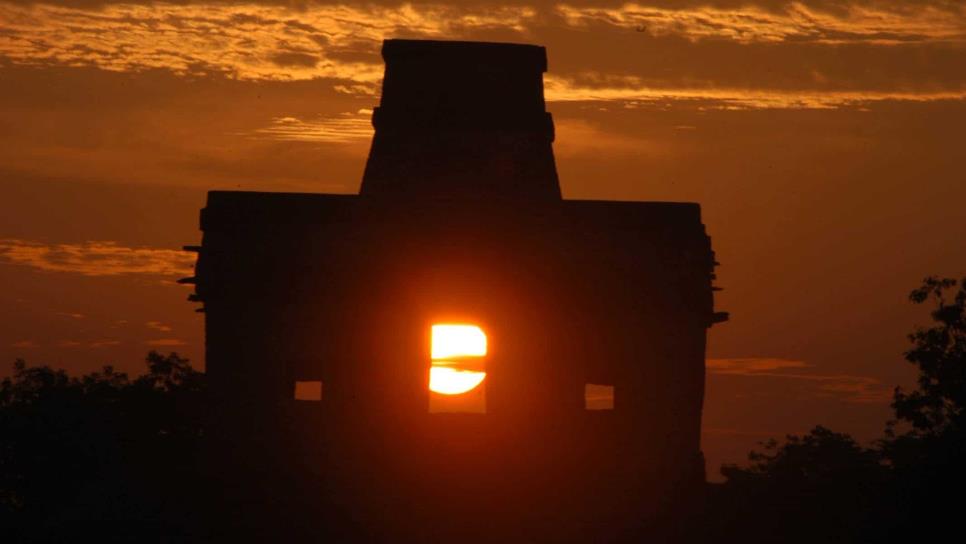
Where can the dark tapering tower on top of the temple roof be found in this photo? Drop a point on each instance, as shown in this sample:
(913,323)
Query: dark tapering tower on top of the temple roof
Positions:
(462,121)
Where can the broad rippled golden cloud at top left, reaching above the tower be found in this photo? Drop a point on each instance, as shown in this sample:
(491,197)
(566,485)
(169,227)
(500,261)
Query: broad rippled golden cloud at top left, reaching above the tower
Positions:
(249,41)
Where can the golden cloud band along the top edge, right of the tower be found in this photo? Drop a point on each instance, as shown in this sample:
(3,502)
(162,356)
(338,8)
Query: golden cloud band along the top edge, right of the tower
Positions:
(881,23)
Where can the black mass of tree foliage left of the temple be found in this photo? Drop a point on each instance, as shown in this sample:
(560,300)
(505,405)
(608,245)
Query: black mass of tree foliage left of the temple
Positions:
(84,454)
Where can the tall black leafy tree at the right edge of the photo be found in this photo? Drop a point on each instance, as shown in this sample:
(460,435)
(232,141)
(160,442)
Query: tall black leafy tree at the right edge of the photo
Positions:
(927,459)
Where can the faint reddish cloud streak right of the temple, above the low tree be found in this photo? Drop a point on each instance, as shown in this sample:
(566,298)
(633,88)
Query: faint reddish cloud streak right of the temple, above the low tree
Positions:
(859,389)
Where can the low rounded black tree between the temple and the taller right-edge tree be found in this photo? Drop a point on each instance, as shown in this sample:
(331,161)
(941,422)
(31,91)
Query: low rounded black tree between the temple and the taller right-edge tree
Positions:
(818,487)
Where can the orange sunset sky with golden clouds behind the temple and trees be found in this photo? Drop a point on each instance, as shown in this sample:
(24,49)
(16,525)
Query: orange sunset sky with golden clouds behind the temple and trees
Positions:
(823,139)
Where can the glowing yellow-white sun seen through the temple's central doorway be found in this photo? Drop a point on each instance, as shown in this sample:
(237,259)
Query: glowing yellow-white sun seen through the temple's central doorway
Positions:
(450,344)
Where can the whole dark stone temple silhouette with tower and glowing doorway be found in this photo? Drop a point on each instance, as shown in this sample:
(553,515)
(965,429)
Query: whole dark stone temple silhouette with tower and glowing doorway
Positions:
(459,219)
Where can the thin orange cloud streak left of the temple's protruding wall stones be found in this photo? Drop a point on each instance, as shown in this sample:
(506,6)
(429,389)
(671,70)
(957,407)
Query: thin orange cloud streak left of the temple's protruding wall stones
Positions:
(96,258)
